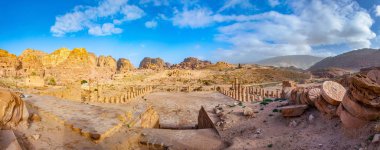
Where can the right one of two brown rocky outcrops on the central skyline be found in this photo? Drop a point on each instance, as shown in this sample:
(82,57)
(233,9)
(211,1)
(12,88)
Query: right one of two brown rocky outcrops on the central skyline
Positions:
(192,63)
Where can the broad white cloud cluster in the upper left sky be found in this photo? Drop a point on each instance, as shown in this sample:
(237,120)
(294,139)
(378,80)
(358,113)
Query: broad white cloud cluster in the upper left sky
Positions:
(87,18)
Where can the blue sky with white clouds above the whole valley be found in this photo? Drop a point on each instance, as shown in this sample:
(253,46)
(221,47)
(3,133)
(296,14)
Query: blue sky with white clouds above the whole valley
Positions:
(236,31)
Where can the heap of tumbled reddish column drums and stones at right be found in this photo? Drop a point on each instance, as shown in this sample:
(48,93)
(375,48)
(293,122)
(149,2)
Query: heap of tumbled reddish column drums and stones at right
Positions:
(355,105)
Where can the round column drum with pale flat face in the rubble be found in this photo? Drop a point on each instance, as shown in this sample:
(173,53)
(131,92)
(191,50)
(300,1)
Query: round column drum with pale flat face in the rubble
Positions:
(333,92)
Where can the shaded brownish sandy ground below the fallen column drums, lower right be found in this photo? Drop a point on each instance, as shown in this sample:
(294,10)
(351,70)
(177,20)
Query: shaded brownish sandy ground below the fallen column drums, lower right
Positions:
(269,130)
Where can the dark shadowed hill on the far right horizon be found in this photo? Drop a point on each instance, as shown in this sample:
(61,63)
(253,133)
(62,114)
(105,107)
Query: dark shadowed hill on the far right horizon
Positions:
(353,60)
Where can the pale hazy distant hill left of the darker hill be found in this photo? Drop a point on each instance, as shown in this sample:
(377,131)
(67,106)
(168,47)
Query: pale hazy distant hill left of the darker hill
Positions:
(299,61)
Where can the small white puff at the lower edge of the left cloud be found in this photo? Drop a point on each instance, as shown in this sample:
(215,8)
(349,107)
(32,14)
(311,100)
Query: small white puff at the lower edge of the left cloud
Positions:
(105,29)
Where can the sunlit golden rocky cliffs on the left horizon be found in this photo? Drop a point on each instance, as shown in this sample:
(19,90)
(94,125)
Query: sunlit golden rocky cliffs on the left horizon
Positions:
(62,65)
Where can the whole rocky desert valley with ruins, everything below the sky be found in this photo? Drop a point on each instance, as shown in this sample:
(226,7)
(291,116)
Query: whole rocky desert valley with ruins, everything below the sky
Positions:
(73,99)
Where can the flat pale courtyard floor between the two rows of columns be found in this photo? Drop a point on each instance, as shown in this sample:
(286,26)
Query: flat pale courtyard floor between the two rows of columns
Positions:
(181,109)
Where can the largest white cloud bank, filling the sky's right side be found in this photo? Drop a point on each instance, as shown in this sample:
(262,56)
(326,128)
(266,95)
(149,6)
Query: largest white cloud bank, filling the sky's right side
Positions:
(314,24)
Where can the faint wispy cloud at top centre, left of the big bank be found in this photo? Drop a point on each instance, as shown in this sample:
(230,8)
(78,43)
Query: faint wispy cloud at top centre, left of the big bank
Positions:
(196,18)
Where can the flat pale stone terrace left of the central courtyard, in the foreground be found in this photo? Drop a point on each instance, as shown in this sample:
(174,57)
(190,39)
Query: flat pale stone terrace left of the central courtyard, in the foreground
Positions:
(93,121)
